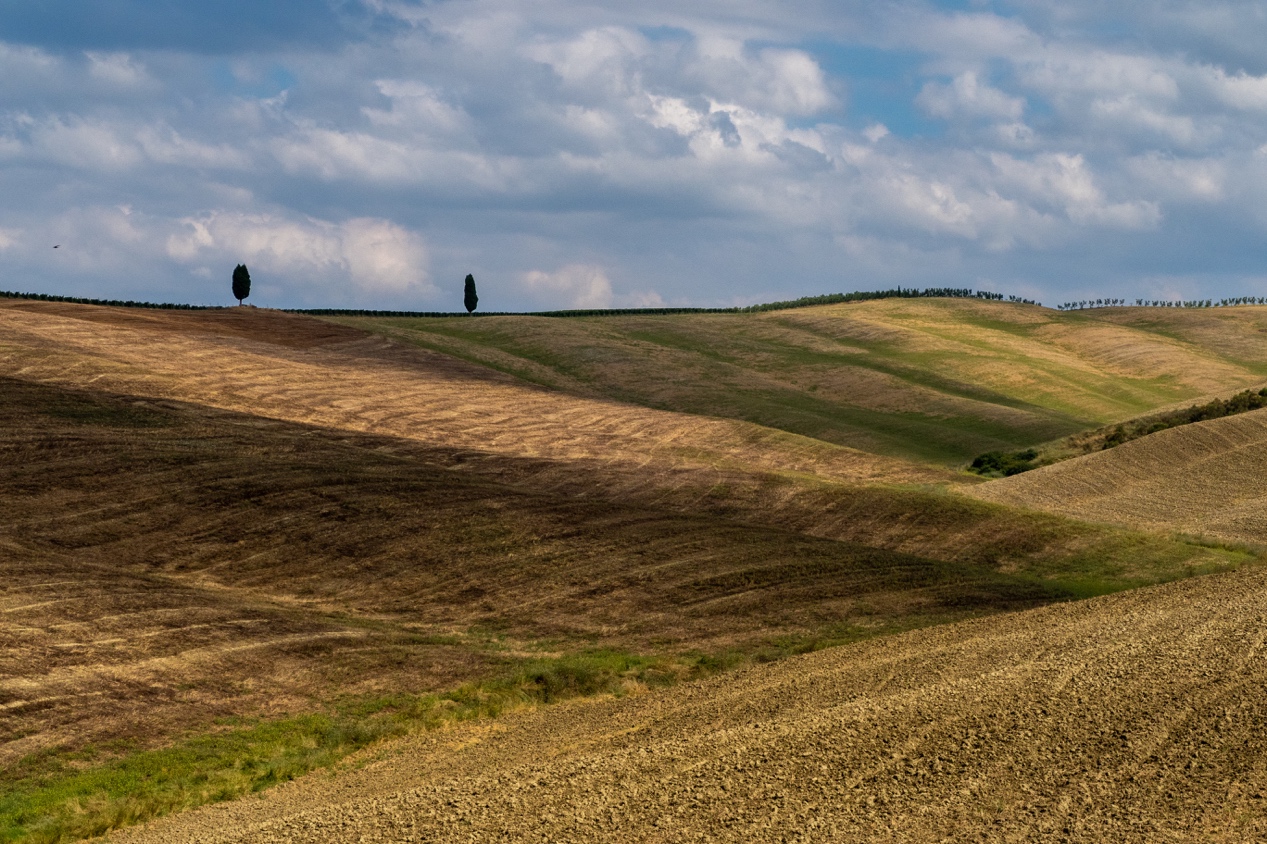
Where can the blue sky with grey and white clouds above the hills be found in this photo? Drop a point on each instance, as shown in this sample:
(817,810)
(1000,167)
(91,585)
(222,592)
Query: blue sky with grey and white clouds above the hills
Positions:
(371,154)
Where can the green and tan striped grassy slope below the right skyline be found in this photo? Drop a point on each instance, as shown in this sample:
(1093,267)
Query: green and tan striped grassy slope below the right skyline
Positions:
(936,381)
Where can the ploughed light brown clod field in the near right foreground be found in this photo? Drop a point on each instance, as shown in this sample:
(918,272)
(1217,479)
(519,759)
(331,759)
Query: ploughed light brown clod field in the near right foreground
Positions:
(1132,718)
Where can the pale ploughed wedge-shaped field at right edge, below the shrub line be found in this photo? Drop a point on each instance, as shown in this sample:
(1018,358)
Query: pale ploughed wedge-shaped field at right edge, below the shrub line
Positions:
(1204,480)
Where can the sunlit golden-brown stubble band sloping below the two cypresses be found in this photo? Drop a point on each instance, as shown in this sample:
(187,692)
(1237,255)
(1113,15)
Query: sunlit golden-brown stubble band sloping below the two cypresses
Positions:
(306,371)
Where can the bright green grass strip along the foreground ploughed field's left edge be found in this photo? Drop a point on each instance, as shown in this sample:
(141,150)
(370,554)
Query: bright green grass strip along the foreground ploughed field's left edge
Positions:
(53,798)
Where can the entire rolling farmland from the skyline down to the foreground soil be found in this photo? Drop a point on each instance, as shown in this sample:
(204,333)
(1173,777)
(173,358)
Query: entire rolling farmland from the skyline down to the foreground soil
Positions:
(685,577)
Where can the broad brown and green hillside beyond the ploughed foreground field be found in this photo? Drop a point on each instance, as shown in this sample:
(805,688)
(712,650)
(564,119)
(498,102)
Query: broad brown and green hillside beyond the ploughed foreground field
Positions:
(246,535)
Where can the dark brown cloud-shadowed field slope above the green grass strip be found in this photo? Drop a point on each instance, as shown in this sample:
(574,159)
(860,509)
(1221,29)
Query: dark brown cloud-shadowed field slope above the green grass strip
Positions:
(165,566)
